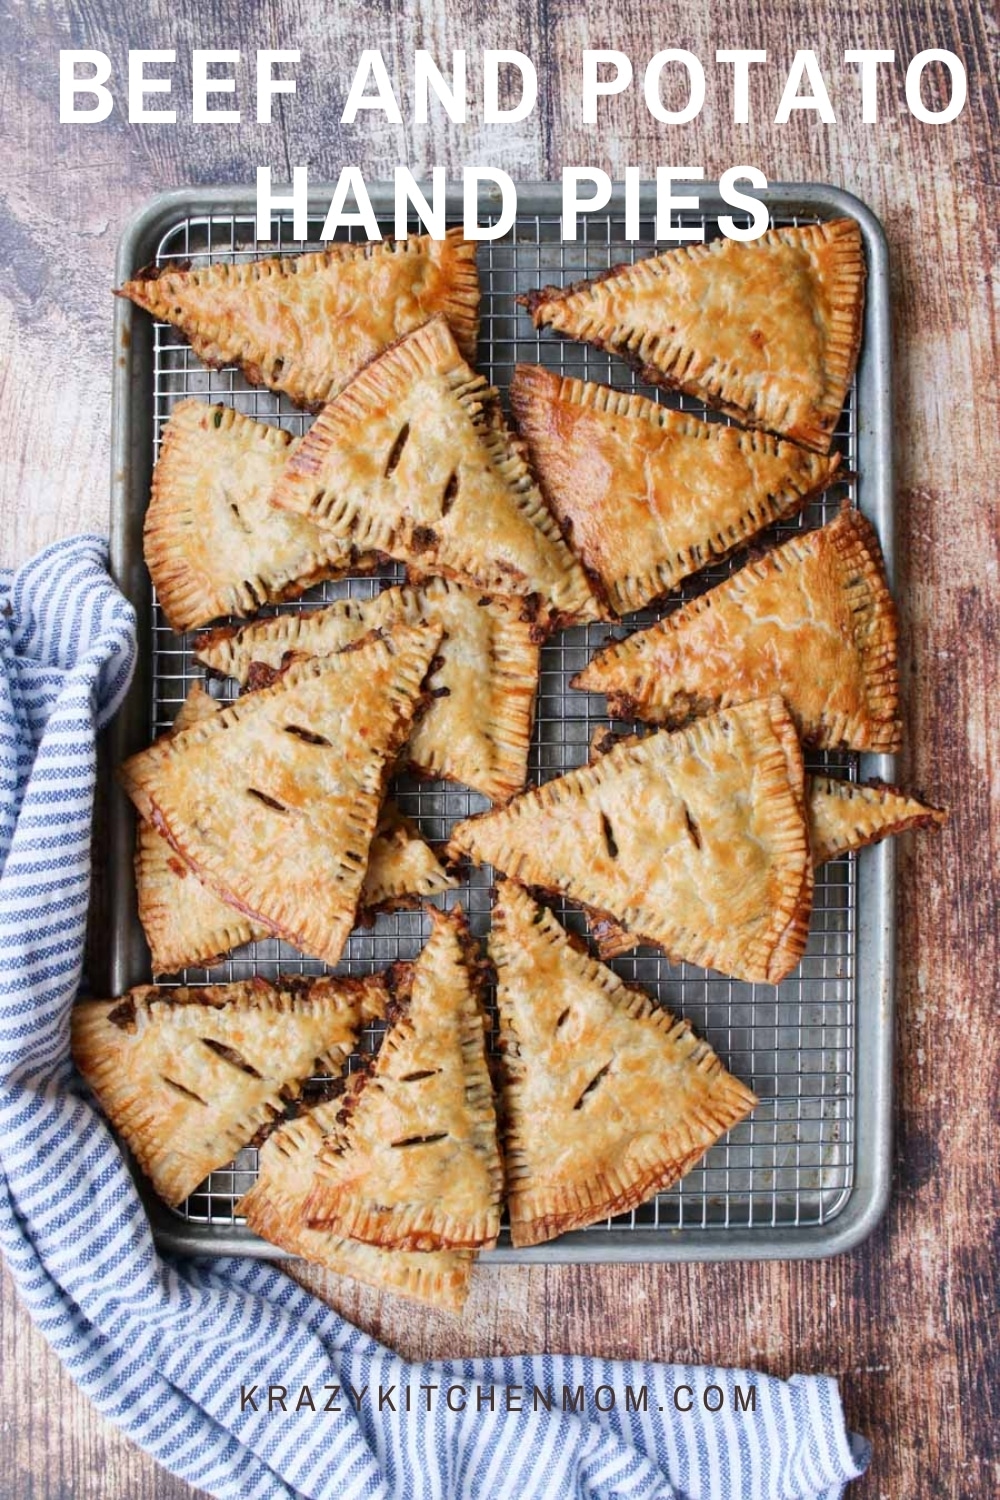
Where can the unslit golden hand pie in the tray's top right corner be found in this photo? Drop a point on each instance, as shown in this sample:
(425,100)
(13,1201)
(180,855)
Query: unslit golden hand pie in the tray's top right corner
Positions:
(767,331)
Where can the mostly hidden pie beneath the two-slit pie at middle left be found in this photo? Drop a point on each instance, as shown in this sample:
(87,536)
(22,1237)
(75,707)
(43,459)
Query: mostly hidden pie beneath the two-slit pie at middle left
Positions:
(188,925)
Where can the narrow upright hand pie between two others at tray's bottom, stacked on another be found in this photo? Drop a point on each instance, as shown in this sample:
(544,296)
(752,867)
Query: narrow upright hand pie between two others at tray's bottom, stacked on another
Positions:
(418,1166)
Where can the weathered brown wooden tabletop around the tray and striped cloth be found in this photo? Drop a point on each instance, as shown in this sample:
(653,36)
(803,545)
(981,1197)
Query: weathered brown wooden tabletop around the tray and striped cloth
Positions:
(908,1322)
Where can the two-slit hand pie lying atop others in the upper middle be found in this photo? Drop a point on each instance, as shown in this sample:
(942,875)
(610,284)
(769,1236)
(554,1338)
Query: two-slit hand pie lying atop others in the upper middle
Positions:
(415,460)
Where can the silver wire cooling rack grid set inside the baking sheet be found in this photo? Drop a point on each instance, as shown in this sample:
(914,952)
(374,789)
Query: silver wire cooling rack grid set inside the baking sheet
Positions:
(795,1045)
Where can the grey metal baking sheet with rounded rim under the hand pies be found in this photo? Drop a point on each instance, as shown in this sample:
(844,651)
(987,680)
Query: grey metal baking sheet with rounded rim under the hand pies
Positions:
(809,1174)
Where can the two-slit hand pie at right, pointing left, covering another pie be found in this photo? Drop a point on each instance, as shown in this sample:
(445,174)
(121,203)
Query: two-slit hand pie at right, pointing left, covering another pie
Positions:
(693,841)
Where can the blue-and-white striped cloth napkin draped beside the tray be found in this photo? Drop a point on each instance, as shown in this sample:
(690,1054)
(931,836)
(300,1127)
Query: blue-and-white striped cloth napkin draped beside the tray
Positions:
(224,1369)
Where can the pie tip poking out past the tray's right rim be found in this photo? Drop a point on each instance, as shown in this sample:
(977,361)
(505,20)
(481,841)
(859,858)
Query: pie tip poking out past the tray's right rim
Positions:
(846,815)
